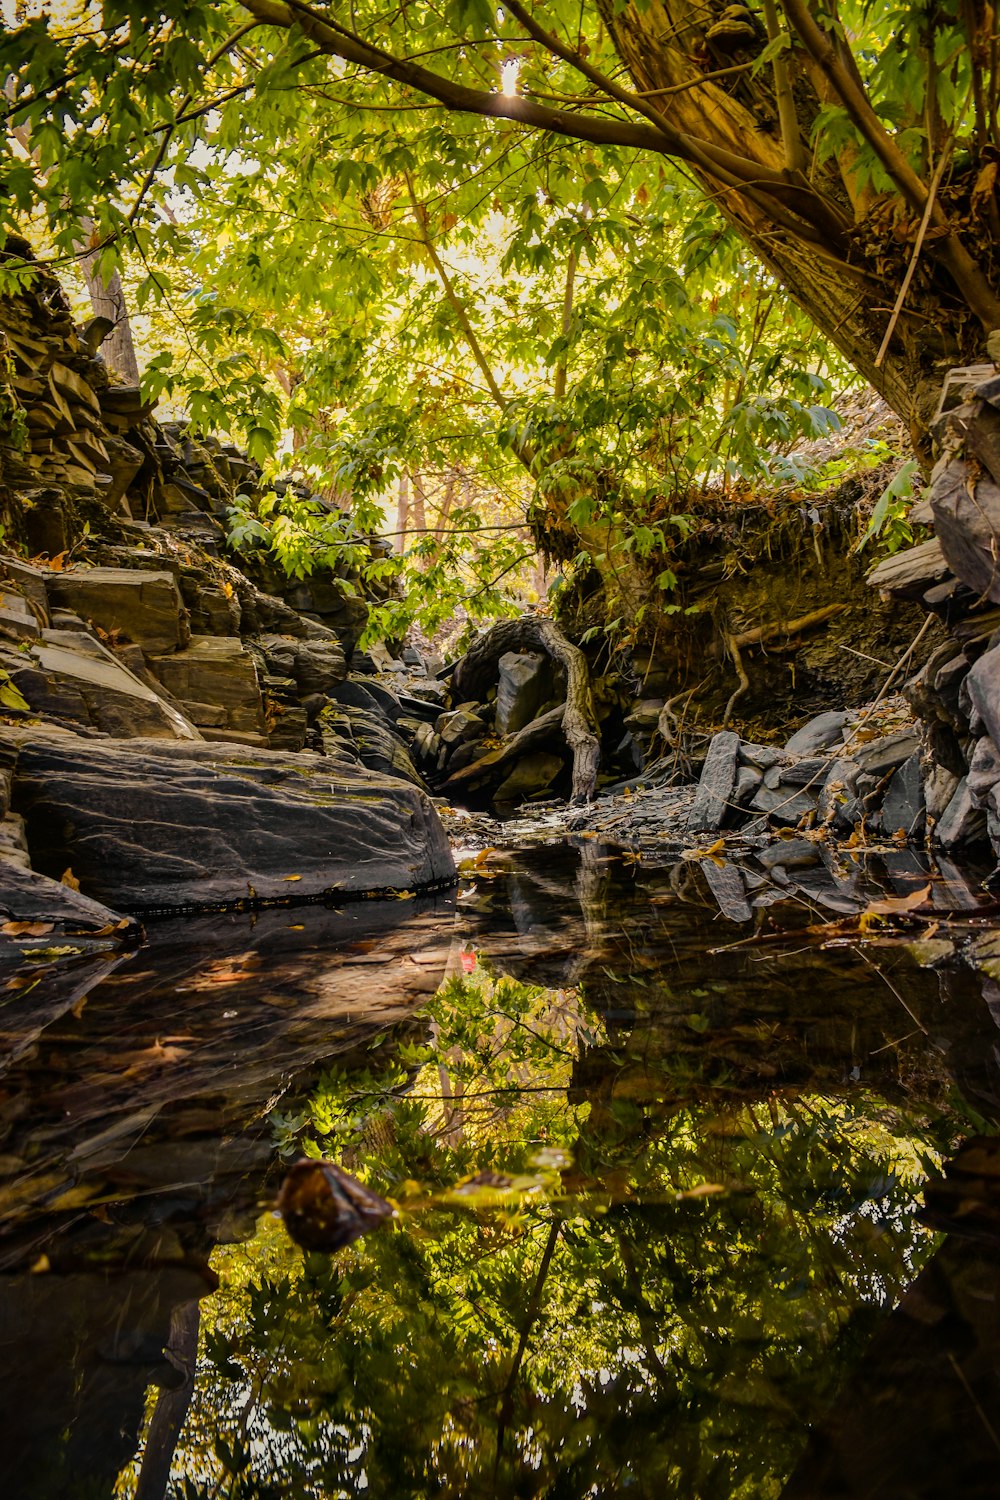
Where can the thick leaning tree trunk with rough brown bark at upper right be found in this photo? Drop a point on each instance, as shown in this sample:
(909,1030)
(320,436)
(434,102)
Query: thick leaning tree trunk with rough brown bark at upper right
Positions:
(840,251)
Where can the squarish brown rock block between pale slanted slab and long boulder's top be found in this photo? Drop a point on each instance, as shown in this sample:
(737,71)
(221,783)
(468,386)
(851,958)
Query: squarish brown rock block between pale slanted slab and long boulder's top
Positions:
(218,671)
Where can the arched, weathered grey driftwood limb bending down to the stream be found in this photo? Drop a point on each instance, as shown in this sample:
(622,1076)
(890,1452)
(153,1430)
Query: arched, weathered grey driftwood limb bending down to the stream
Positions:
(479,668)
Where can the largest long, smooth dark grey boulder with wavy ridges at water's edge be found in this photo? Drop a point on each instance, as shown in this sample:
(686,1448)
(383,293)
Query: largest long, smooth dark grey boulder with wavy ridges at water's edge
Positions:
(148,826)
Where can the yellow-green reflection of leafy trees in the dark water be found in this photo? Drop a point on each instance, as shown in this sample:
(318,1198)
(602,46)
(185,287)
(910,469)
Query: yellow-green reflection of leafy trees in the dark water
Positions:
(662,1303)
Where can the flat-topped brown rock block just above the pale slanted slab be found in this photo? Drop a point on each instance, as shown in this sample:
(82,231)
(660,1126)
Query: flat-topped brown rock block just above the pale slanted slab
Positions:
(143,607)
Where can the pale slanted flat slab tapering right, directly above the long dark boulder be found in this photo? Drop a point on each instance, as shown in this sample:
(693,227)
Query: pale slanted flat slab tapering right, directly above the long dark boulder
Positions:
(73,677)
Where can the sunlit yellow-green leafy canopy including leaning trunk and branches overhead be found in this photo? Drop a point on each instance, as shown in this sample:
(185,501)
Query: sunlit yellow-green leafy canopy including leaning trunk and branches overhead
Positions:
(419,230)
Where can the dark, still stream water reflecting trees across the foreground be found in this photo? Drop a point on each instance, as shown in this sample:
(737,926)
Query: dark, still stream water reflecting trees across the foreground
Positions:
(657,1219)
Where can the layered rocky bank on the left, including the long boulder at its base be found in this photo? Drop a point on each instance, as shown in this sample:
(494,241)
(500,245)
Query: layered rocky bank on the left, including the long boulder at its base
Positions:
(122,619)
